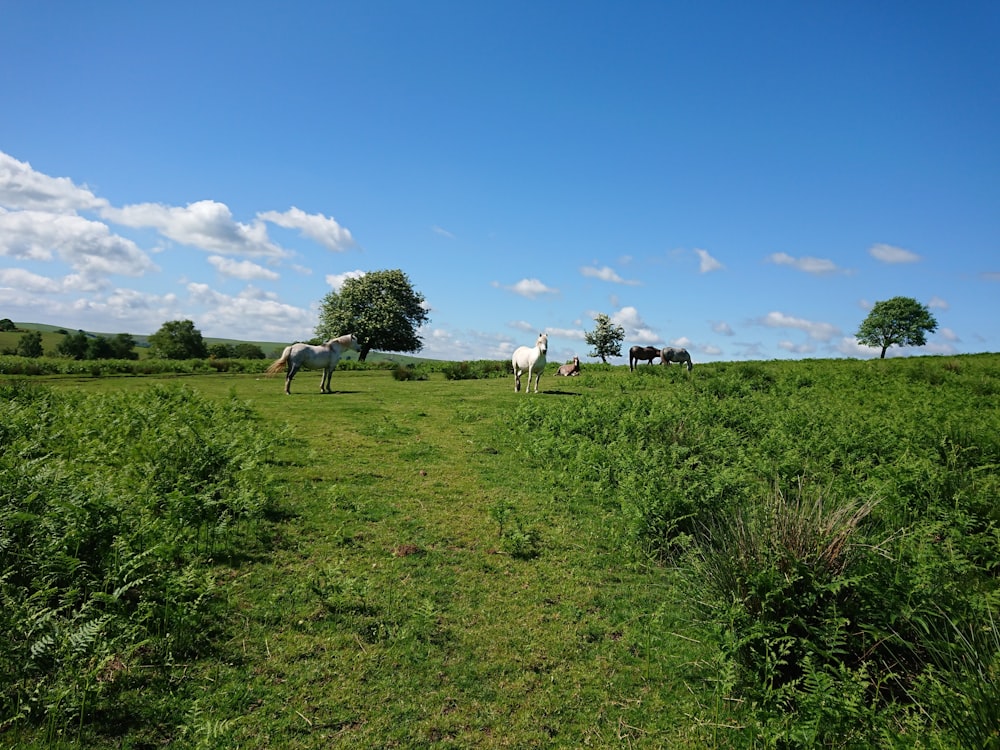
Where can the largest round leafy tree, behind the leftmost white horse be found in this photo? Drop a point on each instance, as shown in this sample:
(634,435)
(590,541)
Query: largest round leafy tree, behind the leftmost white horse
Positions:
(381,308)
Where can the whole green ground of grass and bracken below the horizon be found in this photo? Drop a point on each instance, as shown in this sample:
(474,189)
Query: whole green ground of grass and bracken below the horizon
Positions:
(766,554)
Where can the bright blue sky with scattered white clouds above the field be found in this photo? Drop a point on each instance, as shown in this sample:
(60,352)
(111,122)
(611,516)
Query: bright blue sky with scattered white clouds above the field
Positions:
(743,179)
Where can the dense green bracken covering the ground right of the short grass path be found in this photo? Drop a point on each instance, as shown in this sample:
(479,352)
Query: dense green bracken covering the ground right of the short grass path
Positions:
(836,523)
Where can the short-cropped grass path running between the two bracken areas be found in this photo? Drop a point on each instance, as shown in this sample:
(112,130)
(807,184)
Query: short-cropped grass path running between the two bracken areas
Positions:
(390,611)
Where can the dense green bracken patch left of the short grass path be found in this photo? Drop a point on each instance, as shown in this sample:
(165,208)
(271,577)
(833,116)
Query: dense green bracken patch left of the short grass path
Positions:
(112,508)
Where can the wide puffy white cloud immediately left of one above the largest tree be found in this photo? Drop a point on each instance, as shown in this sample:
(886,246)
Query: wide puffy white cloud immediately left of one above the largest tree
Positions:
(207,225)
